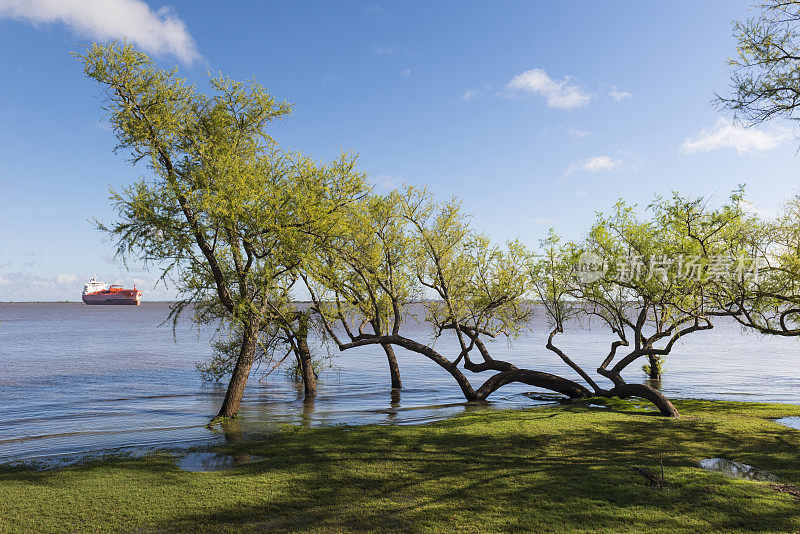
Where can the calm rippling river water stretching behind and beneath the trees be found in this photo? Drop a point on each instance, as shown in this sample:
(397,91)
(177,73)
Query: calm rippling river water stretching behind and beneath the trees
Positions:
(76,379)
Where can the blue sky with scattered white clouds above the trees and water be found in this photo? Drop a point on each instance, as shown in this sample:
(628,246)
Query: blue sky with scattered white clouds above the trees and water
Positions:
(535,114)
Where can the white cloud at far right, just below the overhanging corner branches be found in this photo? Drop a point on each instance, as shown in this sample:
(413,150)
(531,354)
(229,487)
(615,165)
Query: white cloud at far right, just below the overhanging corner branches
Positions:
(726,134)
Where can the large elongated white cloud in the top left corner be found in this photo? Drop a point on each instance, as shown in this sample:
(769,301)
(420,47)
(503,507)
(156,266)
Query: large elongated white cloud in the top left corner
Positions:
(158,32)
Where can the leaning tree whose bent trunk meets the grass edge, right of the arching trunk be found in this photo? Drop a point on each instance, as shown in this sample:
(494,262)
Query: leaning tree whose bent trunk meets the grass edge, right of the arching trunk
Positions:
(648,280)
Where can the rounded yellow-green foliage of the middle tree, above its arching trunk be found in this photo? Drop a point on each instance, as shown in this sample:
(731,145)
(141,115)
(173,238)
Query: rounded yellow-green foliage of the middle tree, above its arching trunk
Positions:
(405,247)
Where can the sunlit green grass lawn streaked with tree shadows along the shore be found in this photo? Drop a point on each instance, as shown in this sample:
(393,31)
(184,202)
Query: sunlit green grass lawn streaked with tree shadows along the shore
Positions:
(565,468)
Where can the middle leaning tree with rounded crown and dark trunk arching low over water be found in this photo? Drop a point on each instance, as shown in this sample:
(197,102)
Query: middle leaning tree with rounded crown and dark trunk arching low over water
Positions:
(368,288)
